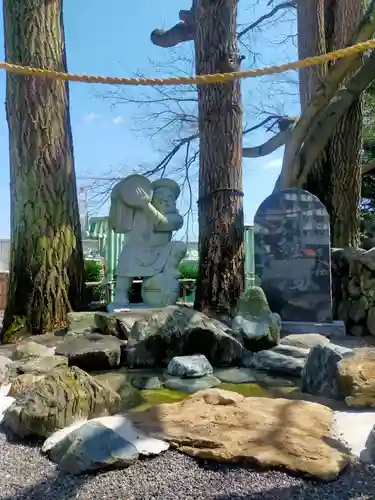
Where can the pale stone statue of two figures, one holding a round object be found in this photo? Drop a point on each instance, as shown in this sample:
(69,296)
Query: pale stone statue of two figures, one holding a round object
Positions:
(146,212)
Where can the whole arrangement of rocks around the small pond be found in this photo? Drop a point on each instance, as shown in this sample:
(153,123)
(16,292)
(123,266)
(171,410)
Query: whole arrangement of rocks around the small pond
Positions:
(75,390)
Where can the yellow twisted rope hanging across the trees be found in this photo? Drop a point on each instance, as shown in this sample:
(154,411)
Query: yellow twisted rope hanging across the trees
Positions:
(191,80)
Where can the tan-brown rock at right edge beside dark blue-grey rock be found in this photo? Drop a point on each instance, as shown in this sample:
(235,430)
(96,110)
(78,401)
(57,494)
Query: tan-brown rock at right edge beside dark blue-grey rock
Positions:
(357,378)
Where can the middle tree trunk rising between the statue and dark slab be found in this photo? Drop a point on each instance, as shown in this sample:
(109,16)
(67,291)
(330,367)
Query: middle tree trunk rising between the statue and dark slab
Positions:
(220,205)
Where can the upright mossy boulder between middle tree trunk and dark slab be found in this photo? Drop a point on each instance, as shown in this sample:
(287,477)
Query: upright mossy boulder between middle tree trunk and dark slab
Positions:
(254,321)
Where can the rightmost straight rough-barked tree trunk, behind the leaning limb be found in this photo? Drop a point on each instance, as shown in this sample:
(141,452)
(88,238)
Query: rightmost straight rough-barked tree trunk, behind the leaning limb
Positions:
(346,145)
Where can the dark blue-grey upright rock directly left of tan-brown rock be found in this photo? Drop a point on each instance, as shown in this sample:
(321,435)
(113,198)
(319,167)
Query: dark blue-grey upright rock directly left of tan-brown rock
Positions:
(320,374)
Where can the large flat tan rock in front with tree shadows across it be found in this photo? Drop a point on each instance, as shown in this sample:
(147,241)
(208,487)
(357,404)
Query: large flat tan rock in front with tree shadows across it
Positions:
(227,427)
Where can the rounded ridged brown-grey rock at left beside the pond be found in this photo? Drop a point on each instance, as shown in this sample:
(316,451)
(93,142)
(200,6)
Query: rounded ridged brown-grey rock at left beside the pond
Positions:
(59,399)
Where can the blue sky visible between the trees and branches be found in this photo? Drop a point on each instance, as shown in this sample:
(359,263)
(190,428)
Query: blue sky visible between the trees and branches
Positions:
(112,38)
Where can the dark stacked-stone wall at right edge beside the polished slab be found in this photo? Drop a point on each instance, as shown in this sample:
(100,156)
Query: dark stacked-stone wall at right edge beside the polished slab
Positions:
(353,289)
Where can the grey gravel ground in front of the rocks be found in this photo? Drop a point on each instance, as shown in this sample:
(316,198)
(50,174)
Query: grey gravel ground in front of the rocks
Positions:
(25,474)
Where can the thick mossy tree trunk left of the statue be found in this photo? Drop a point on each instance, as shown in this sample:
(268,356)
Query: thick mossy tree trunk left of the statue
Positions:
(46,263)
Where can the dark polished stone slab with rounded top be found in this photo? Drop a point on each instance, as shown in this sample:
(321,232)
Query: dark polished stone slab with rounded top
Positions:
(292,255)
